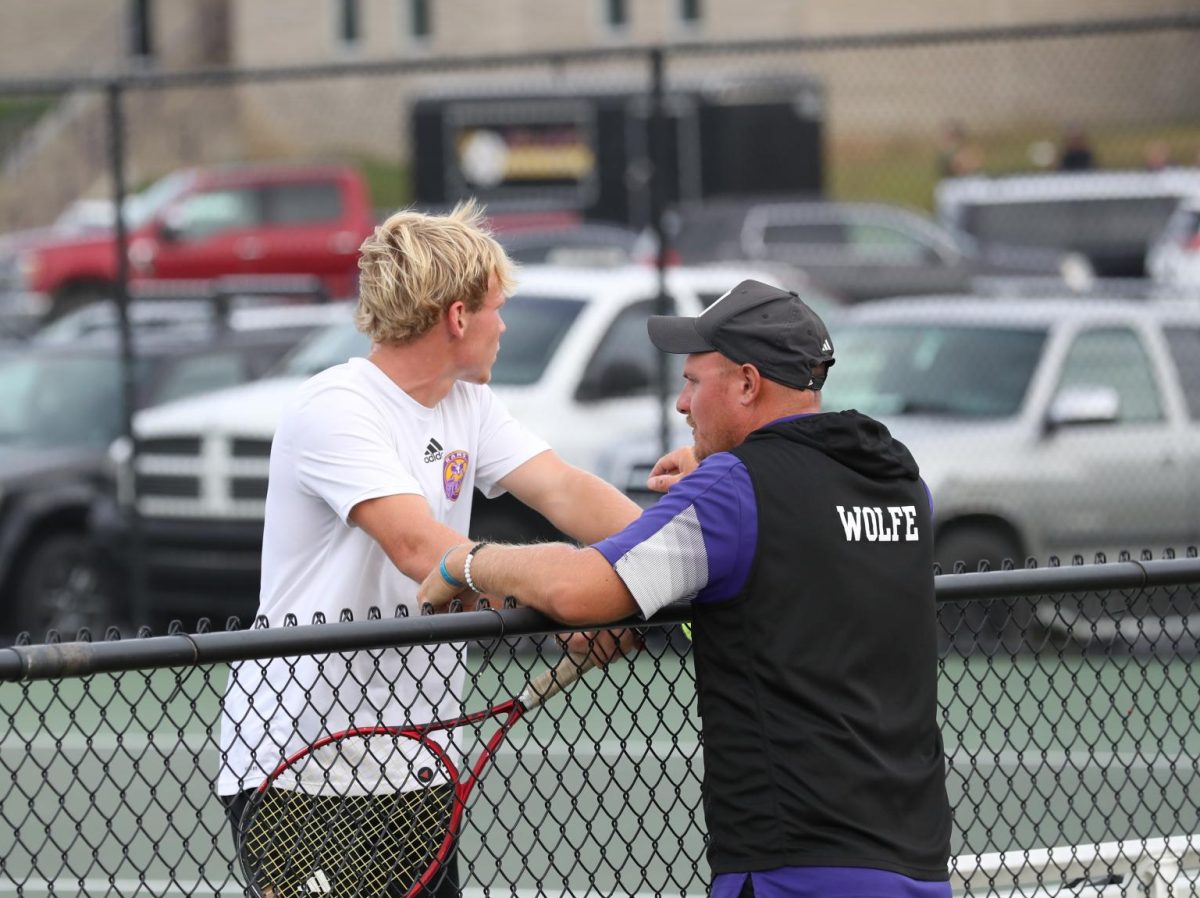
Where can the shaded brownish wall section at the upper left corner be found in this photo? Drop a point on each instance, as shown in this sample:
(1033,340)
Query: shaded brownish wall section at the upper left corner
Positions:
(67,154)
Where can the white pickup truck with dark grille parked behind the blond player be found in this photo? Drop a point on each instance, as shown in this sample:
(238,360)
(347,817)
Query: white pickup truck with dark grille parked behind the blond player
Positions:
(575,366)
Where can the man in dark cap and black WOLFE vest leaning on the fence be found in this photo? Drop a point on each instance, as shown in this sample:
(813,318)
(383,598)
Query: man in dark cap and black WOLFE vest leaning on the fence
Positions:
(803,541)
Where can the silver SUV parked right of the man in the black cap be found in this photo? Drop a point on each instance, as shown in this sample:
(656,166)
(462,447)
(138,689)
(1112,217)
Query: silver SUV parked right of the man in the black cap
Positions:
(1042,427)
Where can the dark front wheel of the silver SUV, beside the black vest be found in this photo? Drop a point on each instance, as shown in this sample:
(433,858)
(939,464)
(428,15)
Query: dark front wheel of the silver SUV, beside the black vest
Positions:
(981,625)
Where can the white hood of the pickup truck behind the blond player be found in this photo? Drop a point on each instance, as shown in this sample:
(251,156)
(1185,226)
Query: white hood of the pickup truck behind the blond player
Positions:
(251,410)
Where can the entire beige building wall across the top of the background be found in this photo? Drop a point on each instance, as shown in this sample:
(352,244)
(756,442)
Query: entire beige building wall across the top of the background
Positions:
(873,95)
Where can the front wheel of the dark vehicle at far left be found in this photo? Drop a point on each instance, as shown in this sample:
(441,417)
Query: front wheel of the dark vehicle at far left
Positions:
(59,588)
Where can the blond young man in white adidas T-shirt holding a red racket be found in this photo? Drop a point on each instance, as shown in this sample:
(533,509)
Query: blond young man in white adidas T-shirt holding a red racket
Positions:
(371,480)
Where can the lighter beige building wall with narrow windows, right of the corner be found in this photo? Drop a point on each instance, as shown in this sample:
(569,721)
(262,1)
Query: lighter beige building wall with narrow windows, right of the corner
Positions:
(897,92)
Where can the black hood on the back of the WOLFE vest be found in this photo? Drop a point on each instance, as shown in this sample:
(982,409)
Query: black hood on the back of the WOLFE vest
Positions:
(851,439)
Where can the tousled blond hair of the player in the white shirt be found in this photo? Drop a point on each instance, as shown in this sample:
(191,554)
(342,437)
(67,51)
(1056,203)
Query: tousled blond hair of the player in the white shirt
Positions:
(416,266)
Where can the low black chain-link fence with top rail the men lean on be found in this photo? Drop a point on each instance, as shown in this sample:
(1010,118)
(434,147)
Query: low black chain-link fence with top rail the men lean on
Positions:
(1069,717)
